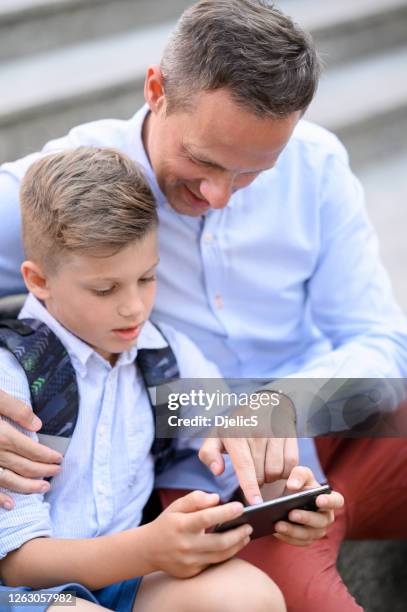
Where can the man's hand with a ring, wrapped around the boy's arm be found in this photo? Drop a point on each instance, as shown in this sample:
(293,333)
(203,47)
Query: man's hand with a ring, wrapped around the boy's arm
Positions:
(22,460)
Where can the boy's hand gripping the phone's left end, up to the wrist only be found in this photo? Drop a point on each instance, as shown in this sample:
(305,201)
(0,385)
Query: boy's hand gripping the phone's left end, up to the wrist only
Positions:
(176,542)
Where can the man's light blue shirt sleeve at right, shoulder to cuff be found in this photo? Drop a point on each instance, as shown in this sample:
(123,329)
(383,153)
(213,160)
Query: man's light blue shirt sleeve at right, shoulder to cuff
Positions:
(352,304)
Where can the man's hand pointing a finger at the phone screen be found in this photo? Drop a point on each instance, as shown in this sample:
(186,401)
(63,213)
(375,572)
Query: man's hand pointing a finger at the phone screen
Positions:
(255,460)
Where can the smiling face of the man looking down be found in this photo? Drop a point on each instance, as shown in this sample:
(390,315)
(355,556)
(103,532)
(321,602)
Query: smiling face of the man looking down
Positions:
(201,157)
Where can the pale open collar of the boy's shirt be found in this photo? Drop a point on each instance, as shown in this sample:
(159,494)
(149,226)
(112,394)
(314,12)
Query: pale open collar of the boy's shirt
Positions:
(80,352)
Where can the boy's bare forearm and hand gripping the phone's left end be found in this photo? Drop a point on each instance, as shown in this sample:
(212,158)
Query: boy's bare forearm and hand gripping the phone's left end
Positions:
(176,543)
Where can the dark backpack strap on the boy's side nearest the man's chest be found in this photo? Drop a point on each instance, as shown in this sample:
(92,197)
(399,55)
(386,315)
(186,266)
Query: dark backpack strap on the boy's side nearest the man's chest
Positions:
(159,367)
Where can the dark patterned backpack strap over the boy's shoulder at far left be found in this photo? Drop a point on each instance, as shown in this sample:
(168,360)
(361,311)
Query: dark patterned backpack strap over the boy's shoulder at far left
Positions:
(50,375)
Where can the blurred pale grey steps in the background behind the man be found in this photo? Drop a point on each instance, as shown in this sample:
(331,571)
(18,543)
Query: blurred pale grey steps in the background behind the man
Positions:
(64,62)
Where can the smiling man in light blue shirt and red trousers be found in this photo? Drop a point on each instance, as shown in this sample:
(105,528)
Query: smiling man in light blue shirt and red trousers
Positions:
(278,271)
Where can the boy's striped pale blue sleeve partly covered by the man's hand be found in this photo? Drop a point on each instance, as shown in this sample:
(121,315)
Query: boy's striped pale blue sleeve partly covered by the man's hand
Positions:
(30,517)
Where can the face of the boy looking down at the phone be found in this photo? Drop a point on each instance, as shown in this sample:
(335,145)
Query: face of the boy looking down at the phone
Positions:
(106,300)
